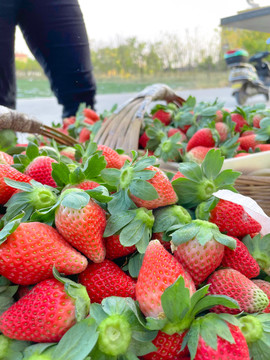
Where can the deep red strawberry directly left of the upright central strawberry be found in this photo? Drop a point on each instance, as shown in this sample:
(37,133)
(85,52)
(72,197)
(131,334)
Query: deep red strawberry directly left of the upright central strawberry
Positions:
(106,279)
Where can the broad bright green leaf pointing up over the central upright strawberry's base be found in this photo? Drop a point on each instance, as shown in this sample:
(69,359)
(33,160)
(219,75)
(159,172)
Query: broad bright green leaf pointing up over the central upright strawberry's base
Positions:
(170,298)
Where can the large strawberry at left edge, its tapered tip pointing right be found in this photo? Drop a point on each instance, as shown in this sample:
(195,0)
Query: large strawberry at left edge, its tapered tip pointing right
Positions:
(28,255)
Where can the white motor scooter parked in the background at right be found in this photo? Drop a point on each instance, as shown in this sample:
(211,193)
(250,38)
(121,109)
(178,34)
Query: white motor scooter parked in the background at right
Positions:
(244,79)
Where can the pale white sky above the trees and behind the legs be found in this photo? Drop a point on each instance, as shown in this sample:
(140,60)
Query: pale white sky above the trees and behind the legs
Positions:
(147,20)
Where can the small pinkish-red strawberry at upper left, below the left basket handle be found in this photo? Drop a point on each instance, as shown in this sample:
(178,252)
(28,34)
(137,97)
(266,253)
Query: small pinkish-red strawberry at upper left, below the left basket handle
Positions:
(40,169)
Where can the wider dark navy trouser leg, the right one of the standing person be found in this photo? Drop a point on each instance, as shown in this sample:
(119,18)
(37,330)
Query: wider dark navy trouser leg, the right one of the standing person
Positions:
(55,33)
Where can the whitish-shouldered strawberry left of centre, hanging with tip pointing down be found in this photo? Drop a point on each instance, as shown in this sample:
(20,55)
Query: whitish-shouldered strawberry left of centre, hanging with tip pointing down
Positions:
(83,226)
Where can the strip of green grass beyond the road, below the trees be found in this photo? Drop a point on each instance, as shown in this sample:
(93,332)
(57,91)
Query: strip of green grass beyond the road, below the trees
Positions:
(39,86)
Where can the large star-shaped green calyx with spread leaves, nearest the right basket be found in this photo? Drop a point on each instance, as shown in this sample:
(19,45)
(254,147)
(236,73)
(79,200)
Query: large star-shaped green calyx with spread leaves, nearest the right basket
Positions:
(200,182)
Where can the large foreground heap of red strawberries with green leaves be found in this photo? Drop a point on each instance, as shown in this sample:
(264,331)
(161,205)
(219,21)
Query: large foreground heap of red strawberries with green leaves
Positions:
(104,256)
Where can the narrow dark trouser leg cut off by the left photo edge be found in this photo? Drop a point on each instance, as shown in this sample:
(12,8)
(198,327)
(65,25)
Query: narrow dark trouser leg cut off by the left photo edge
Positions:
(8,15)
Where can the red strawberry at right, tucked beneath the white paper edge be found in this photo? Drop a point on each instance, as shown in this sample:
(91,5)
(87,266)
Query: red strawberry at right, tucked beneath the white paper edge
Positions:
(233,220)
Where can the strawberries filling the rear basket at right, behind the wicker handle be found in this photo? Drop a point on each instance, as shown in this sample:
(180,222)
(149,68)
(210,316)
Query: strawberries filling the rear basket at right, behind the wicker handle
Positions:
(188,133)
